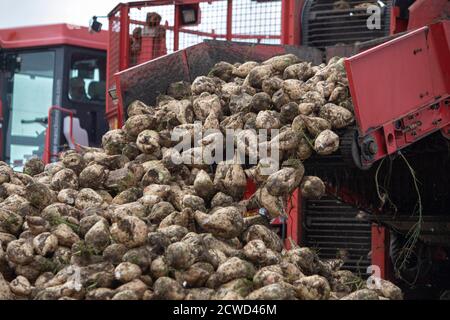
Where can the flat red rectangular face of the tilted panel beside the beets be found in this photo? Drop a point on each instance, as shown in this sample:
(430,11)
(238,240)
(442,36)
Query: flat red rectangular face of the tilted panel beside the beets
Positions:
(391,80)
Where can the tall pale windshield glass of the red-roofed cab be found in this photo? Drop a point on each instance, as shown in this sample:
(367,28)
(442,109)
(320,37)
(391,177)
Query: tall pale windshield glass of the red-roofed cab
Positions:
(31,97)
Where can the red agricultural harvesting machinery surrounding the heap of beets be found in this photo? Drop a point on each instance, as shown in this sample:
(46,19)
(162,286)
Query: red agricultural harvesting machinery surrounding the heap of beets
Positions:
(388,184)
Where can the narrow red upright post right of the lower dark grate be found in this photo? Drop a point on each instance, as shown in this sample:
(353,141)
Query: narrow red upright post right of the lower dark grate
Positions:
(380,250)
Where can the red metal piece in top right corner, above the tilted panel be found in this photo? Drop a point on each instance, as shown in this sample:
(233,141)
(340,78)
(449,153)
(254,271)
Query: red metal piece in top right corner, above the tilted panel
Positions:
(426,12)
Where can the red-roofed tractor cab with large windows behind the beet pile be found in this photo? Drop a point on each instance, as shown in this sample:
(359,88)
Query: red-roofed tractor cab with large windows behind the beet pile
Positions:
(52,91)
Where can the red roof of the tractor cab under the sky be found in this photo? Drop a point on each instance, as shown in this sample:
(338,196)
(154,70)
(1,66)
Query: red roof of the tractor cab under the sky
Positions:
(52,35)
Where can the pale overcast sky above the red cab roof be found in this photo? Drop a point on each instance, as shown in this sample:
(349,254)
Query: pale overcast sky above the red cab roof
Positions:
(15,13)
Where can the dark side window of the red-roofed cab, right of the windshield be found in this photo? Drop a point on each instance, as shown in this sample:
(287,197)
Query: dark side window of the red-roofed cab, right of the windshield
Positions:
(87,79)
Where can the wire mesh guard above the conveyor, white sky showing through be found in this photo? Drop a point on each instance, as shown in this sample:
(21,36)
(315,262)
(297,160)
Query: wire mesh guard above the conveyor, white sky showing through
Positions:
(251,22)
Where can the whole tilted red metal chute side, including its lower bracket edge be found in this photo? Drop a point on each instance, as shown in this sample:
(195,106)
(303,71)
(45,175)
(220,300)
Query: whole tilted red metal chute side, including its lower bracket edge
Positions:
(401,88)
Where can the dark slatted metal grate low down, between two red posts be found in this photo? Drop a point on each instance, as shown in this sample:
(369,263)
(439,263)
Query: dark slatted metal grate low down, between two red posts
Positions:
(333,230)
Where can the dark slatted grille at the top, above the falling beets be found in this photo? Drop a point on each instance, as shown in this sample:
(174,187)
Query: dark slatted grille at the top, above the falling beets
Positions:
(329,22)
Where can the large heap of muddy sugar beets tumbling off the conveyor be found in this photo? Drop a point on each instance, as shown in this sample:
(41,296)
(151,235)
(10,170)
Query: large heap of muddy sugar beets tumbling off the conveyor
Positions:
(126,222)
